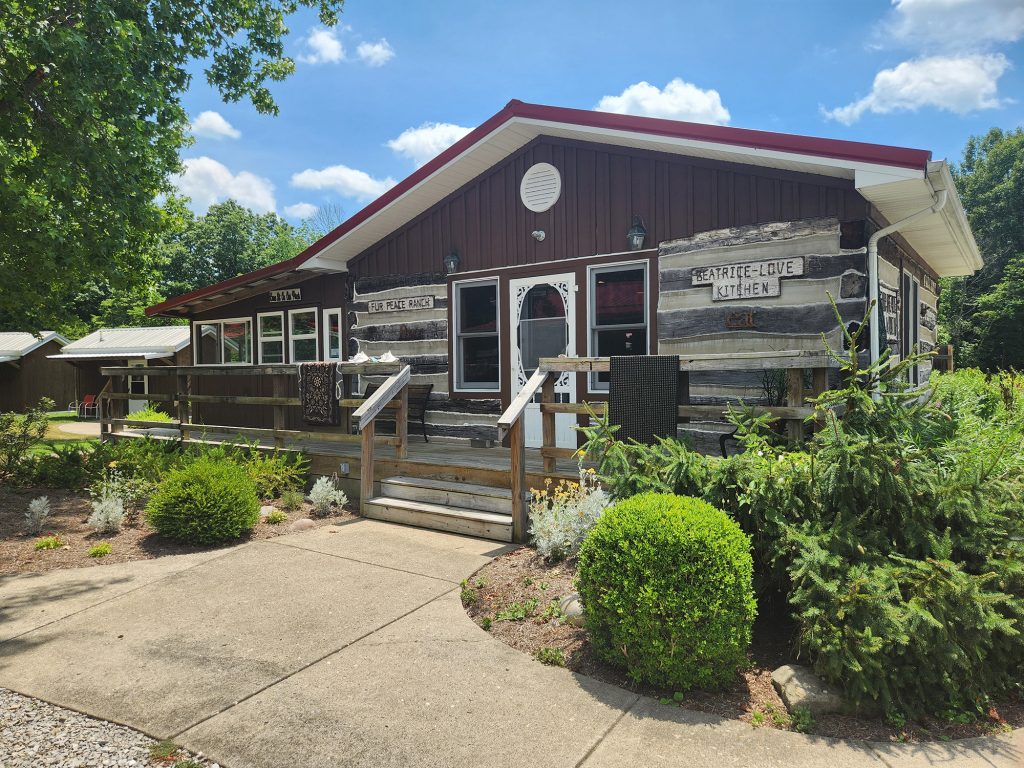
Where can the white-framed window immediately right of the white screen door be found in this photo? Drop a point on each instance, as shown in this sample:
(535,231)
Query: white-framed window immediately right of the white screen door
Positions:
(618,314)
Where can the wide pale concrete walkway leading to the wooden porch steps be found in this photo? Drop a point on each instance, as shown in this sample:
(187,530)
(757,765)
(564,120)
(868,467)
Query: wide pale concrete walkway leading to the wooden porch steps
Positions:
(349,647)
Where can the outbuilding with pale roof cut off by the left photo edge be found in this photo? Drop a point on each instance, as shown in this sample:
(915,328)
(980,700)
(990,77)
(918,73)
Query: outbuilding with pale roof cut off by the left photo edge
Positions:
(28,373)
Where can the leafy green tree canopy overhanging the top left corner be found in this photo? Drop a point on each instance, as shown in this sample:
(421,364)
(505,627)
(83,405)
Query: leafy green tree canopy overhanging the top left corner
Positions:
(92,123)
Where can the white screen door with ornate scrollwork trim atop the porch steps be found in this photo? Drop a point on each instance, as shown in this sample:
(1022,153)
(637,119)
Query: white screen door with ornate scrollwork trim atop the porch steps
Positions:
(543,325)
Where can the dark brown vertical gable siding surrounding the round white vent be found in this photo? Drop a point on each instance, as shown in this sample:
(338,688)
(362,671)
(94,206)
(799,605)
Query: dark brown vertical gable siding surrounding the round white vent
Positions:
(603,189)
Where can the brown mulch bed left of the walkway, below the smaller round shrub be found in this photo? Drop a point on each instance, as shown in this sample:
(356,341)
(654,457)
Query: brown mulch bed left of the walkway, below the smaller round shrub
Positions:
(136,541)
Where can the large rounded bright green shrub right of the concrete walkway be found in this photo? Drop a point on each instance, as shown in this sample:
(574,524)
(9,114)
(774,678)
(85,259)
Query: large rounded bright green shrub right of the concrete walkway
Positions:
(665,582)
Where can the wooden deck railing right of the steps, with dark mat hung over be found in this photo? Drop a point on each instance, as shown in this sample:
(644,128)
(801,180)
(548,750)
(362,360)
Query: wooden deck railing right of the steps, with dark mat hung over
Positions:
(511,423)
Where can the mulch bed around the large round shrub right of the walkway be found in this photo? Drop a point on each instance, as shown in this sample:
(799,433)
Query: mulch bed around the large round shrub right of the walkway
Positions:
(522,577)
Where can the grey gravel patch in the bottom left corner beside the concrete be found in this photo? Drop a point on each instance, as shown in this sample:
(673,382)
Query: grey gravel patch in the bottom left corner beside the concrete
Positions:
(36,735)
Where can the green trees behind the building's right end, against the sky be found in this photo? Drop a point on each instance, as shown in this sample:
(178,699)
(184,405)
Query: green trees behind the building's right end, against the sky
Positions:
(984,315)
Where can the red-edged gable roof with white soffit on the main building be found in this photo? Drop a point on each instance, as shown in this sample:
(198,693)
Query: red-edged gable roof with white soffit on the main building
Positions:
(898,181)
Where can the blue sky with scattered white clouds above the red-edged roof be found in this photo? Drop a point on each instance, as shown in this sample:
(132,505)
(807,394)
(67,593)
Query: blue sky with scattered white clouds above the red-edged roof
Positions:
(399,81)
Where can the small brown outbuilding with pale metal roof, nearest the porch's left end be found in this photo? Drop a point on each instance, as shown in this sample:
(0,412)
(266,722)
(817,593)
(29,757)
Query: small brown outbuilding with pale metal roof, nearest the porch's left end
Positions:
(137,348)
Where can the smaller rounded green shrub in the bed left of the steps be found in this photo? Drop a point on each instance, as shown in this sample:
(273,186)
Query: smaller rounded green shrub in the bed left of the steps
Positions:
(206,502)
